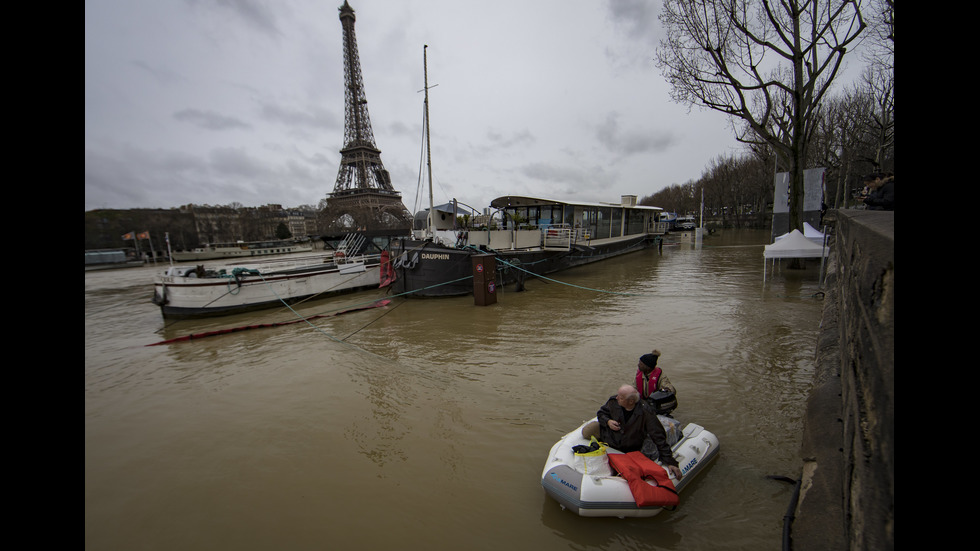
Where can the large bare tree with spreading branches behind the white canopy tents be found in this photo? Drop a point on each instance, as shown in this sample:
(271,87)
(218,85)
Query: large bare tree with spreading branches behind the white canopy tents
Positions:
(768,63)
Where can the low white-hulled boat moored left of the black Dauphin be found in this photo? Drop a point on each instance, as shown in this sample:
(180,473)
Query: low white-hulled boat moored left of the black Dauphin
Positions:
(196,291)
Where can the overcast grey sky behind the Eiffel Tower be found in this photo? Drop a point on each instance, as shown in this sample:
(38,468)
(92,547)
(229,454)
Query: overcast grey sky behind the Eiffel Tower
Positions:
(241,101)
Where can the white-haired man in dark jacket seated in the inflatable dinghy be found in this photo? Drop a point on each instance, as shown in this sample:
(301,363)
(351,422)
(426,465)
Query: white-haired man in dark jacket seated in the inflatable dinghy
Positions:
(625,422)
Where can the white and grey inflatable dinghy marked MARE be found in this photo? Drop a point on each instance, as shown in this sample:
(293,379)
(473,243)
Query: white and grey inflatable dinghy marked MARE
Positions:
(610,496)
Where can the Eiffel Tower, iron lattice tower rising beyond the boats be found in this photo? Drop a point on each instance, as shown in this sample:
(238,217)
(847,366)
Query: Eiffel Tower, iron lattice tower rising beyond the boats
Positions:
(363,197)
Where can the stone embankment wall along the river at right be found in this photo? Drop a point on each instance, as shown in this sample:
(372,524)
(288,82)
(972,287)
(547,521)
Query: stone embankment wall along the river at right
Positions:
(847,493)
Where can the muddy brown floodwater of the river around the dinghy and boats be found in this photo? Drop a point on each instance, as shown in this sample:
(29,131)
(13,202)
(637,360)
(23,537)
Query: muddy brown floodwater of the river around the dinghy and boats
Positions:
(425,424)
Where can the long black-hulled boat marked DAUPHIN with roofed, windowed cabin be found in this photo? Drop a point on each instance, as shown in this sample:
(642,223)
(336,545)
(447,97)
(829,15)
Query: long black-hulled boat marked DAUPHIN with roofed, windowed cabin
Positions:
(539,236)
